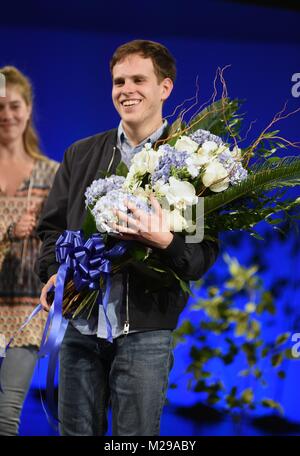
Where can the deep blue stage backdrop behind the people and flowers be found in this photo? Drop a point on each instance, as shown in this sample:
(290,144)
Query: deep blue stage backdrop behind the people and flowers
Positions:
(69,68)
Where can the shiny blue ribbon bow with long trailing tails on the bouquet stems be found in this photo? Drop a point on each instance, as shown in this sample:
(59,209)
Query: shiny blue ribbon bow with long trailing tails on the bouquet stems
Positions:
(85,263)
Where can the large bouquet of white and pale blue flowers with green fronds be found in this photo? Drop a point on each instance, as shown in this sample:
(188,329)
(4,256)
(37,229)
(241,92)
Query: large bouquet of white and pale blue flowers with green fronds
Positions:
(198,161)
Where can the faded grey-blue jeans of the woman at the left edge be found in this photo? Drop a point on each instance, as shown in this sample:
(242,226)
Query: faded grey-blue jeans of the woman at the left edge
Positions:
(16,374)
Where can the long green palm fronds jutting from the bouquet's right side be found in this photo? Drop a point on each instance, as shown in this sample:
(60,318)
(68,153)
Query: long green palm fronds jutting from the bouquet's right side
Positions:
(258,198)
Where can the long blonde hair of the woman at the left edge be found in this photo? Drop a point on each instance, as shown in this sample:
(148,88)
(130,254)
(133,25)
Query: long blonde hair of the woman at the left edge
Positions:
(14,77)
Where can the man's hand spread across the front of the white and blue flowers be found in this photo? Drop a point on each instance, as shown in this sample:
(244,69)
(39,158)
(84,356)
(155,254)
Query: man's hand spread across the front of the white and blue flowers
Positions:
(150,228)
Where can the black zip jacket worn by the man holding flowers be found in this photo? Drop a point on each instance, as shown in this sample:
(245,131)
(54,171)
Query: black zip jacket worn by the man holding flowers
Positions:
(144,308)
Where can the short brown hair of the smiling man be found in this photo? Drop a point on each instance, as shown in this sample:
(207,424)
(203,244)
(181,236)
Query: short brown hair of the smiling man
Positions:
(163,62)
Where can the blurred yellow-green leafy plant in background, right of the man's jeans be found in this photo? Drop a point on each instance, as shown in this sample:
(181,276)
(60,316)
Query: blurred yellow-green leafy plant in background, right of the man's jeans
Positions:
(230,330)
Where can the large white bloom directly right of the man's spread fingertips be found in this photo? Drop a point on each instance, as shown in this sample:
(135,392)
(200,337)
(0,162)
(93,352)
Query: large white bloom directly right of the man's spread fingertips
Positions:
(180,193)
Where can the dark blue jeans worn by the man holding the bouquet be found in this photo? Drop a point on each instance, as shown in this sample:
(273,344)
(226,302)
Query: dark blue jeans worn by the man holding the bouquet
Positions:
(131,375)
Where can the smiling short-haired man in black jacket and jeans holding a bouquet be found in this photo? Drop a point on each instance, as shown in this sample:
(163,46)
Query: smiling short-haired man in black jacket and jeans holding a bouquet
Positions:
(132,372)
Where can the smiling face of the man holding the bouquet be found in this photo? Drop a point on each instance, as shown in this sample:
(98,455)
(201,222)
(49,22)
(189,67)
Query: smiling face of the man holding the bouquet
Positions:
(137,95)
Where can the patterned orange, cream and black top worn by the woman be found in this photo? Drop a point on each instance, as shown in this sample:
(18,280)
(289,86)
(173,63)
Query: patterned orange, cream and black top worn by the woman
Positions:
(19,285)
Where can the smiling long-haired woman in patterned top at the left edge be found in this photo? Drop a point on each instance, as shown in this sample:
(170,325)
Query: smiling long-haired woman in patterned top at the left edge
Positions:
(25,179)
